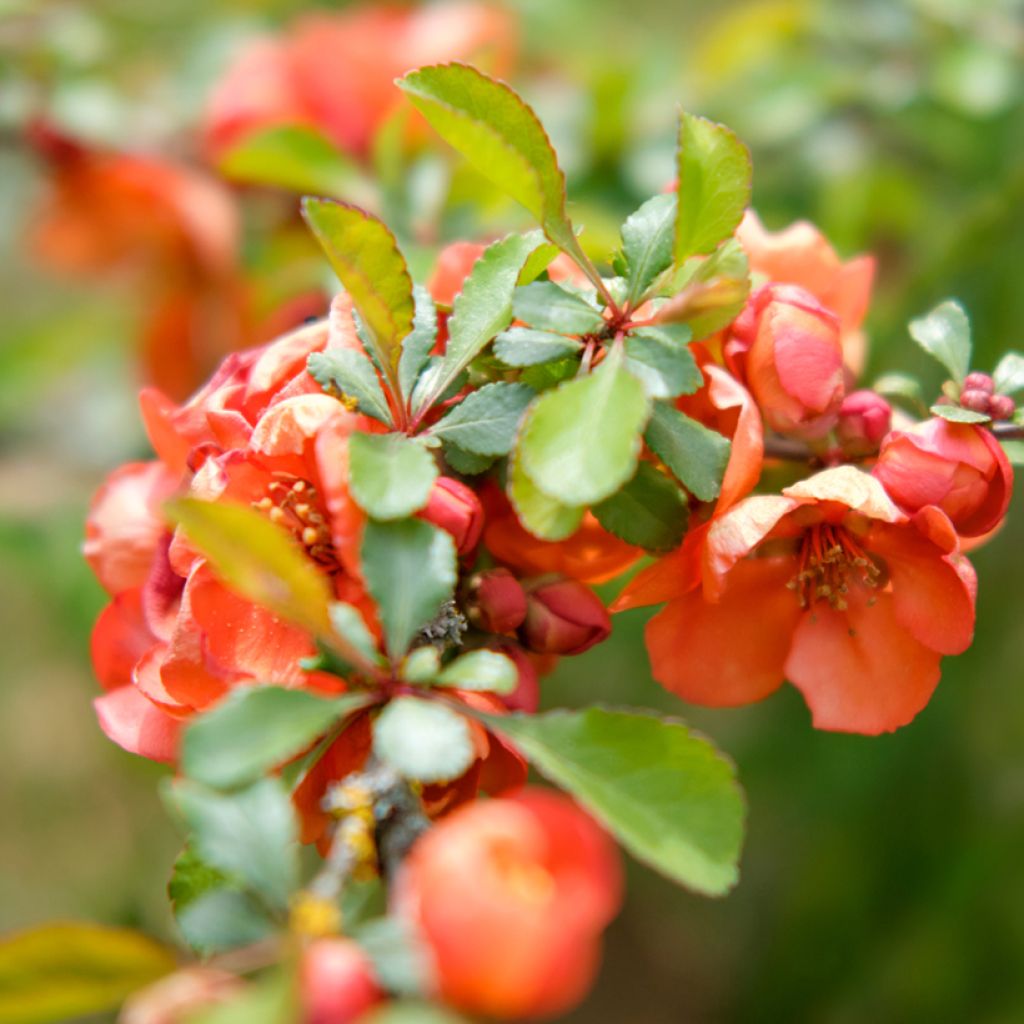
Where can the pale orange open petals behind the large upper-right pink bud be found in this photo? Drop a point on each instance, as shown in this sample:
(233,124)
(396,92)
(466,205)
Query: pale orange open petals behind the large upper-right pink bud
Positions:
(801,255)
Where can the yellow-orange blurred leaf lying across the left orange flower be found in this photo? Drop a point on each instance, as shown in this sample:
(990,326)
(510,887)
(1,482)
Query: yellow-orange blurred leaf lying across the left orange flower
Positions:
(257,559)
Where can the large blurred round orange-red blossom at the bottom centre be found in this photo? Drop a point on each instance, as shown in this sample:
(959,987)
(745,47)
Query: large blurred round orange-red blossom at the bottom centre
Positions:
(511,895)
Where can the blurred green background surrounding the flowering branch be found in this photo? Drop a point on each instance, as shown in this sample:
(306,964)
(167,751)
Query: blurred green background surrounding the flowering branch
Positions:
(884,879)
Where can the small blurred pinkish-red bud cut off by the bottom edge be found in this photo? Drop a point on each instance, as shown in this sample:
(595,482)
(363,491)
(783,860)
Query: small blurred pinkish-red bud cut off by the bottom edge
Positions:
(336,983)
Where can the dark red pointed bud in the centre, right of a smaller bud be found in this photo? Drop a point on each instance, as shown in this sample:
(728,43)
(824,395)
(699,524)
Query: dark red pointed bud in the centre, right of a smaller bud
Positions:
(564,618)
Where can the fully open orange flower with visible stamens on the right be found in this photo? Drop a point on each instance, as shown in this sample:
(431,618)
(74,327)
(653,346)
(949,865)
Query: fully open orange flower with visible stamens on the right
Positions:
(831,586)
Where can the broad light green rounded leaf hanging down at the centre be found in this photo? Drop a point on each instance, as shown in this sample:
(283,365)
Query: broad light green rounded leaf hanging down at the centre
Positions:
(580,443)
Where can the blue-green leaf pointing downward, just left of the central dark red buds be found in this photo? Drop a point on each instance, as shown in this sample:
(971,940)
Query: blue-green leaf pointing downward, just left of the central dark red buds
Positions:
(410,569)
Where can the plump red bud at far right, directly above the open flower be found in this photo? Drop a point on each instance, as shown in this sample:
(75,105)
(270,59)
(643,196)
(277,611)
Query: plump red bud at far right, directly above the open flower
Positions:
(959,467)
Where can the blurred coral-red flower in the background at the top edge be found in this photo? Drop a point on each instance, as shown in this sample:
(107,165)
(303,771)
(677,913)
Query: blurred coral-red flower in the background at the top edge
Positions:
(335,72)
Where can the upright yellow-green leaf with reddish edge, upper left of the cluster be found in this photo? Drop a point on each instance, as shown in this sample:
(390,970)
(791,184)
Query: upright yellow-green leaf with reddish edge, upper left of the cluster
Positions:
(366,259)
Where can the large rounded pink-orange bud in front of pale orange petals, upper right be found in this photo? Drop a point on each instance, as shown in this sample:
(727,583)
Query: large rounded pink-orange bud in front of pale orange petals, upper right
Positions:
(786,347)
